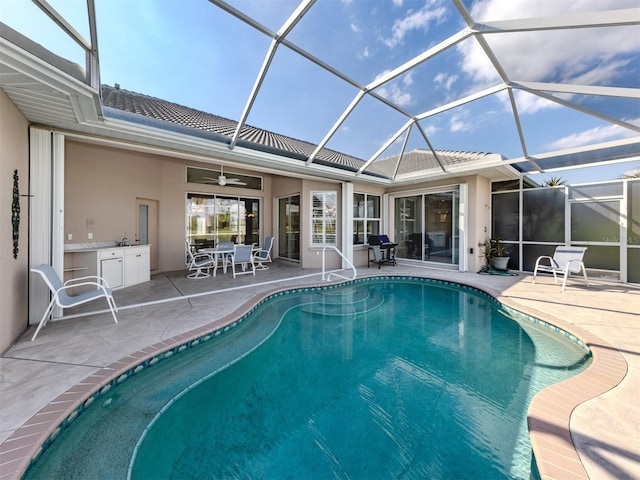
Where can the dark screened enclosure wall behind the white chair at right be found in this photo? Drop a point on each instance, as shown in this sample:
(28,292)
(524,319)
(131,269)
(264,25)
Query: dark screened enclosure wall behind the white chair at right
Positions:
(604,217)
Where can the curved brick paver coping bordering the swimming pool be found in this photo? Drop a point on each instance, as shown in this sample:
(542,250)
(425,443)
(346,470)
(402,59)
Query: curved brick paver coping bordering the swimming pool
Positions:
(548,416)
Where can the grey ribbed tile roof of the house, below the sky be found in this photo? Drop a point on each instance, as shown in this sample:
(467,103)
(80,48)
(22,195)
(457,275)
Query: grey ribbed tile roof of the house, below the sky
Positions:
(197,122)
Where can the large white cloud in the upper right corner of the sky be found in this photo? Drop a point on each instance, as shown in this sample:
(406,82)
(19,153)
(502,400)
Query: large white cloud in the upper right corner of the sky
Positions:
(576,55)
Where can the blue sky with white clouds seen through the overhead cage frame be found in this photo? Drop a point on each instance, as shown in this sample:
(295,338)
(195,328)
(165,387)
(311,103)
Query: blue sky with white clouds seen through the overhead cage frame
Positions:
(195,54)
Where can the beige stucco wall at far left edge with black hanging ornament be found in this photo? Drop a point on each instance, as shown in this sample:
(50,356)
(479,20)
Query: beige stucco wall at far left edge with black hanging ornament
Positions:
(14,155)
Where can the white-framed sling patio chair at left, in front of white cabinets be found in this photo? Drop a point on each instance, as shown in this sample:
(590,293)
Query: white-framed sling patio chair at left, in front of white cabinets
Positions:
(64,300)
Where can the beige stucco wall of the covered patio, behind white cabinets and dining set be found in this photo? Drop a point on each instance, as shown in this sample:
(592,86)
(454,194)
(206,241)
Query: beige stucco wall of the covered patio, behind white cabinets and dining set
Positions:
(102,184)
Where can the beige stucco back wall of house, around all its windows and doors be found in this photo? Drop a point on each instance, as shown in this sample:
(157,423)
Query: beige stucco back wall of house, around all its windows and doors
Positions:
(103,183)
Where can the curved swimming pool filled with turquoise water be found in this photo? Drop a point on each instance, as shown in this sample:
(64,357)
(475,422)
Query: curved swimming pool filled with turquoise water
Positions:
(381,377)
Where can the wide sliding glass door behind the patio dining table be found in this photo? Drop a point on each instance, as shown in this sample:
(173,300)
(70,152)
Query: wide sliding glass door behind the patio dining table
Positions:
(212,219)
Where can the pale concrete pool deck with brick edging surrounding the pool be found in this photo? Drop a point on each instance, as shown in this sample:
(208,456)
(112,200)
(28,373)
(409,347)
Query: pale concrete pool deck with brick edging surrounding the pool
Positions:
(585,427)
